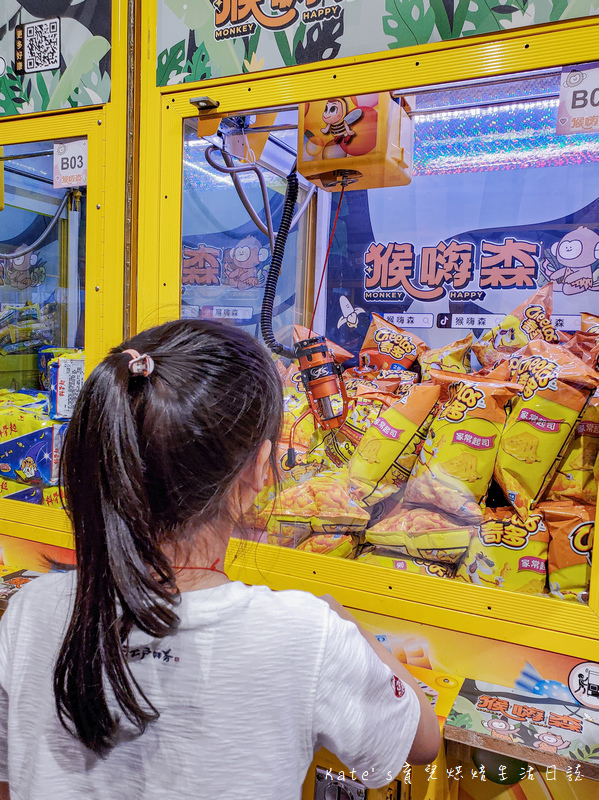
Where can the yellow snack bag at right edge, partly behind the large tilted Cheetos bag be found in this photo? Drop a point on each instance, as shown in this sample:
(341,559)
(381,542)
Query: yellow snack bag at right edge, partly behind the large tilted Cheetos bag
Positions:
(574,479)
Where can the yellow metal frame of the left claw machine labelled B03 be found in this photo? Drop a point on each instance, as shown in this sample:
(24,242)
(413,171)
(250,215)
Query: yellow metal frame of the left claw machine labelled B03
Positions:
(105,129)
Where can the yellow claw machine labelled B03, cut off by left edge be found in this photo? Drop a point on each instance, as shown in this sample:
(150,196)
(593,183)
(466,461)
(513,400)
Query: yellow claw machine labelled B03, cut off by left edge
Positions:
(63,115)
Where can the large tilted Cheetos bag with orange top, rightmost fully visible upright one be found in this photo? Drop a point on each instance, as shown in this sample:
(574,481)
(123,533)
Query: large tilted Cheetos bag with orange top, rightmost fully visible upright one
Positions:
(555,386)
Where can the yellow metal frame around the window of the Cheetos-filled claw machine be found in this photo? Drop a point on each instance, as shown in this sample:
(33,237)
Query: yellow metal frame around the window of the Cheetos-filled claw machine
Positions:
(505,616)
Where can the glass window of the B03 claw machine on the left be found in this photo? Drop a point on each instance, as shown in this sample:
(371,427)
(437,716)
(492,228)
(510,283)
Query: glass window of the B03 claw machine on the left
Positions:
(42,277)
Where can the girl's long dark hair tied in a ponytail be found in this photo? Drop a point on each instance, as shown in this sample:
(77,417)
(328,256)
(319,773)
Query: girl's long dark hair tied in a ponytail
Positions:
(145,462)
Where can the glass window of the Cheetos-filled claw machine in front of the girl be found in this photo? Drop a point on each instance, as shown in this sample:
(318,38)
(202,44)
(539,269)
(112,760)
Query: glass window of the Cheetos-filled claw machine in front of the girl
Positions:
(459,439)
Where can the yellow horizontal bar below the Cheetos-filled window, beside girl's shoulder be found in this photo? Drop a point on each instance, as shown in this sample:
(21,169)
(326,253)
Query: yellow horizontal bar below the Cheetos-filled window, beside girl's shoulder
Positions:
(540,622)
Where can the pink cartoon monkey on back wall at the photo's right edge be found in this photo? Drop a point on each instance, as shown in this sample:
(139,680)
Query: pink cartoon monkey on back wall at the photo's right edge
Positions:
(573,262)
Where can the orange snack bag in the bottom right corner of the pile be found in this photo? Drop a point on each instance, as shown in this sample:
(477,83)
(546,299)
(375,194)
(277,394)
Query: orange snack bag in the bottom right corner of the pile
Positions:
(571,530)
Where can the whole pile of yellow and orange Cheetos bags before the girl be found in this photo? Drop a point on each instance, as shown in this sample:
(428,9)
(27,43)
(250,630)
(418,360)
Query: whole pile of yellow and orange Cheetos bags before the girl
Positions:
(489,478)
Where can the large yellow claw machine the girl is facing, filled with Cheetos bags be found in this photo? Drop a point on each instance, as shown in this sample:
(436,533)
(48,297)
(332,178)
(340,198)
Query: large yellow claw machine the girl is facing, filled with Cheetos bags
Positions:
(400,199)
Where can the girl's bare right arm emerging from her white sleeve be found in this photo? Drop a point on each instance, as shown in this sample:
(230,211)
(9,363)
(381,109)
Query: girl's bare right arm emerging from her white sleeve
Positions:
(428,736)
